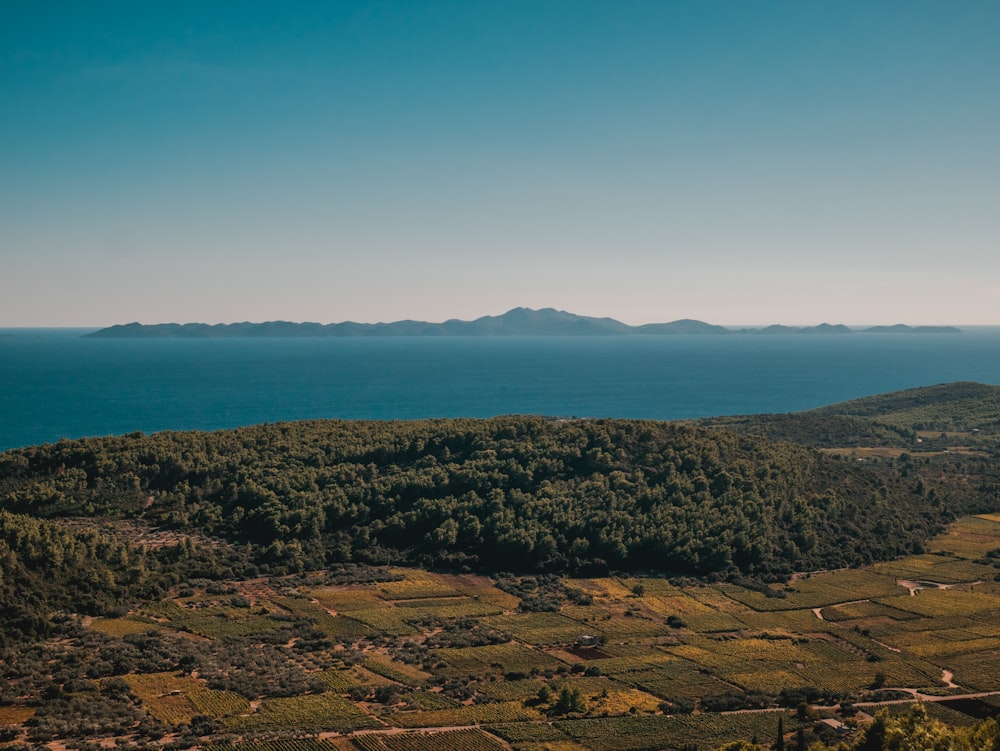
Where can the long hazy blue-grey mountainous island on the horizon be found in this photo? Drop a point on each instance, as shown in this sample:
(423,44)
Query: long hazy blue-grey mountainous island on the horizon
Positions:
(516,322)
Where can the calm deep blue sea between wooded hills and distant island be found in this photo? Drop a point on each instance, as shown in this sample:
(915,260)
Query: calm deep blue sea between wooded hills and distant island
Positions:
(54,383)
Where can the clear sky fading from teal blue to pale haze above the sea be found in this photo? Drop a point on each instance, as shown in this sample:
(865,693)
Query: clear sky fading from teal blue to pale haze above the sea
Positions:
(737,162)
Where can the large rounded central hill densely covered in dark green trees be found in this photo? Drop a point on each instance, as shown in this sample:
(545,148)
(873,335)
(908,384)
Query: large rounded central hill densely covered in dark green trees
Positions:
(512,493)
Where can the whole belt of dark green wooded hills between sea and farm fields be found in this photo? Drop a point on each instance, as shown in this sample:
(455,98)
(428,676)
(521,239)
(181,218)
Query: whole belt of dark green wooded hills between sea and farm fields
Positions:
(523,494)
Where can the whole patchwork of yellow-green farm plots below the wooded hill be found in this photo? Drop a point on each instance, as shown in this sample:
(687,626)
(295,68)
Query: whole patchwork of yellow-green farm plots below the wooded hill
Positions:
(399,661)
